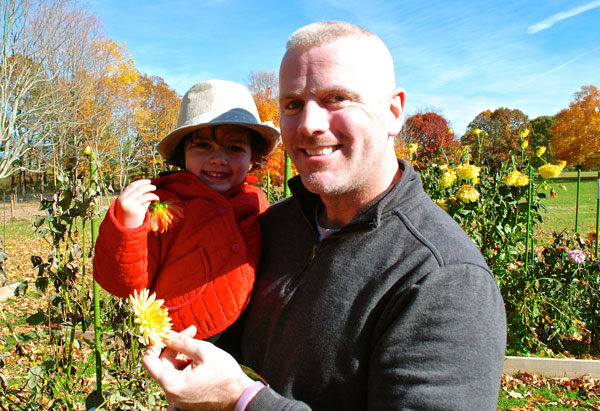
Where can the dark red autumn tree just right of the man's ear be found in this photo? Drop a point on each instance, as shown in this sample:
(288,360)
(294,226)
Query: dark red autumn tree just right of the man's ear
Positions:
(432,134)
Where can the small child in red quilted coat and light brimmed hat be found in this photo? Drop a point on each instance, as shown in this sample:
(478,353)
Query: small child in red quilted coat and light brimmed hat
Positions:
(199,248)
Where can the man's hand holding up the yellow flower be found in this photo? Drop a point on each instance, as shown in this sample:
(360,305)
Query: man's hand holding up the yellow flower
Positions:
(196,375)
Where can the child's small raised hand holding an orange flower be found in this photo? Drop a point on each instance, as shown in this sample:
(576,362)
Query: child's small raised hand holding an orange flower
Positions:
(133,203)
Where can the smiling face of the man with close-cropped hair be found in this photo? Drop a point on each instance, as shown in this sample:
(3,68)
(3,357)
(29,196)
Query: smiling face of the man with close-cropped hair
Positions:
(334,117)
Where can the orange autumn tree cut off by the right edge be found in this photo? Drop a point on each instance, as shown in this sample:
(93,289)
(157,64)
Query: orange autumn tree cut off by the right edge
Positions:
(576,134)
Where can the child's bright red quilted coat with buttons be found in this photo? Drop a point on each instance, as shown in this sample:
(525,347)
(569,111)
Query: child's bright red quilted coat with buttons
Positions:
(203,266)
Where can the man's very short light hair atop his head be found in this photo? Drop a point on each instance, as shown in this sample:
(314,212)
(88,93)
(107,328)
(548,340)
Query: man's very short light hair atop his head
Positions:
(318,34)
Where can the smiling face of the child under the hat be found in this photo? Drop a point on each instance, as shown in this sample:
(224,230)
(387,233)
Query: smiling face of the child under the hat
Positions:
(220,156)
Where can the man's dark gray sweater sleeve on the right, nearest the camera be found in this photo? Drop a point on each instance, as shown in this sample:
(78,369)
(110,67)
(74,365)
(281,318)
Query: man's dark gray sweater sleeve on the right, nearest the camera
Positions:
(440,345)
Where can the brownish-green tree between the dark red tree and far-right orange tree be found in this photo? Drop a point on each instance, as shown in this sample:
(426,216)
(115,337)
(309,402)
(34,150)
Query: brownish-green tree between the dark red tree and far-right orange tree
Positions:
(499,136)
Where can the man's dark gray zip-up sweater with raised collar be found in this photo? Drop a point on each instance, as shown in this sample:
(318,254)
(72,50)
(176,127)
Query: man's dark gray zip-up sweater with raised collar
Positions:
(397,310)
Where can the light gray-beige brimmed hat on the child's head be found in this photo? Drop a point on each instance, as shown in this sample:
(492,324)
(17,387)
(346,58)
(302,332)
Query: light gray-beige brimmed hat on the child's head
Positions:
(213,103)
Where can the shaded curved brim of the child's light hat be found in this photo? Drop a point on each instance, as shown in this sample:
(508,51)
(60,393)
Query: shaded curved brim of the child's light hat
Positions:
(167,145)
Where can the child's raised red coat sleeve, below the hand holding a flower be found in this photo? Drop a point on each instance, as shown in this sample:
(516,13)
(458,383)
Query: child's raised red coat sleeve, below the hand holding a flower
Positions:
(124,258)
